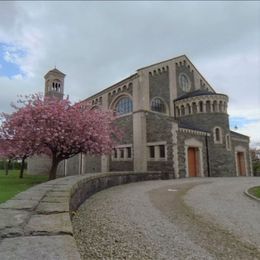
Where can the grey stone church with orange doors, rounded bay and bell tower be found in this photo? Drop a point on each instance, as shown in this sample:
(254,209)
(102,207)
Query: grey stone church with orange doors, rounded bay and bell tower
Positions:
(173,121)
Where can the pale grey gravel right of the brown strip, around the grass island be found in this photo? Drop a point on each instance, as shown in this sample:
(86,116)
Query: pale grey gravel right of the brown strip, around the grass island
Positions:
(224,202)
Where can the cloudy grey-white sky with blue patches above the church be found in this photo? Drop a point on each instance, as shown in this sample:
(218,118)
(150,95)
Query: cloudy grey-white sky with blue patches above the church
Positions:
(99,43)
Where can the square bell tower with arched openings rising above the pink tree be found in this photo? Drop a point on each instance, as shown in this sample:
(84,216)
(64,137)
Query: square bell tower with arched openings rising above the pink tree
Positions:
(54,83)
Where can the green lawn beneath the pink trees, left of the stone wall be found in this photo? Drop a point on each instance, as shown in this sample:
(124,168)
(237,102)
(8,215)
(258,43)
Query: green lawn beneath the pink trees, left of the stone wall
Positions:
(11,184)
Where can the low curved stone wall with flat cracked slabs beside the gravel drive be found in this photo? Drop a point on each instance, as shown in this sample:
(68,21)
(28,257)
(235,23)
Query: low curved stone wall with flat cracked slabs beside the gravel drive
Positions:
(36,224)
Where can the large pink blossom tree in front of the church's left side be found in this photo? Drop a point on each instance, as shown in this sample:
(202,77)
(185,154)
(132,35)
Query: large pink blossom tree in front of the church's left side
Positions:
(59,129)
